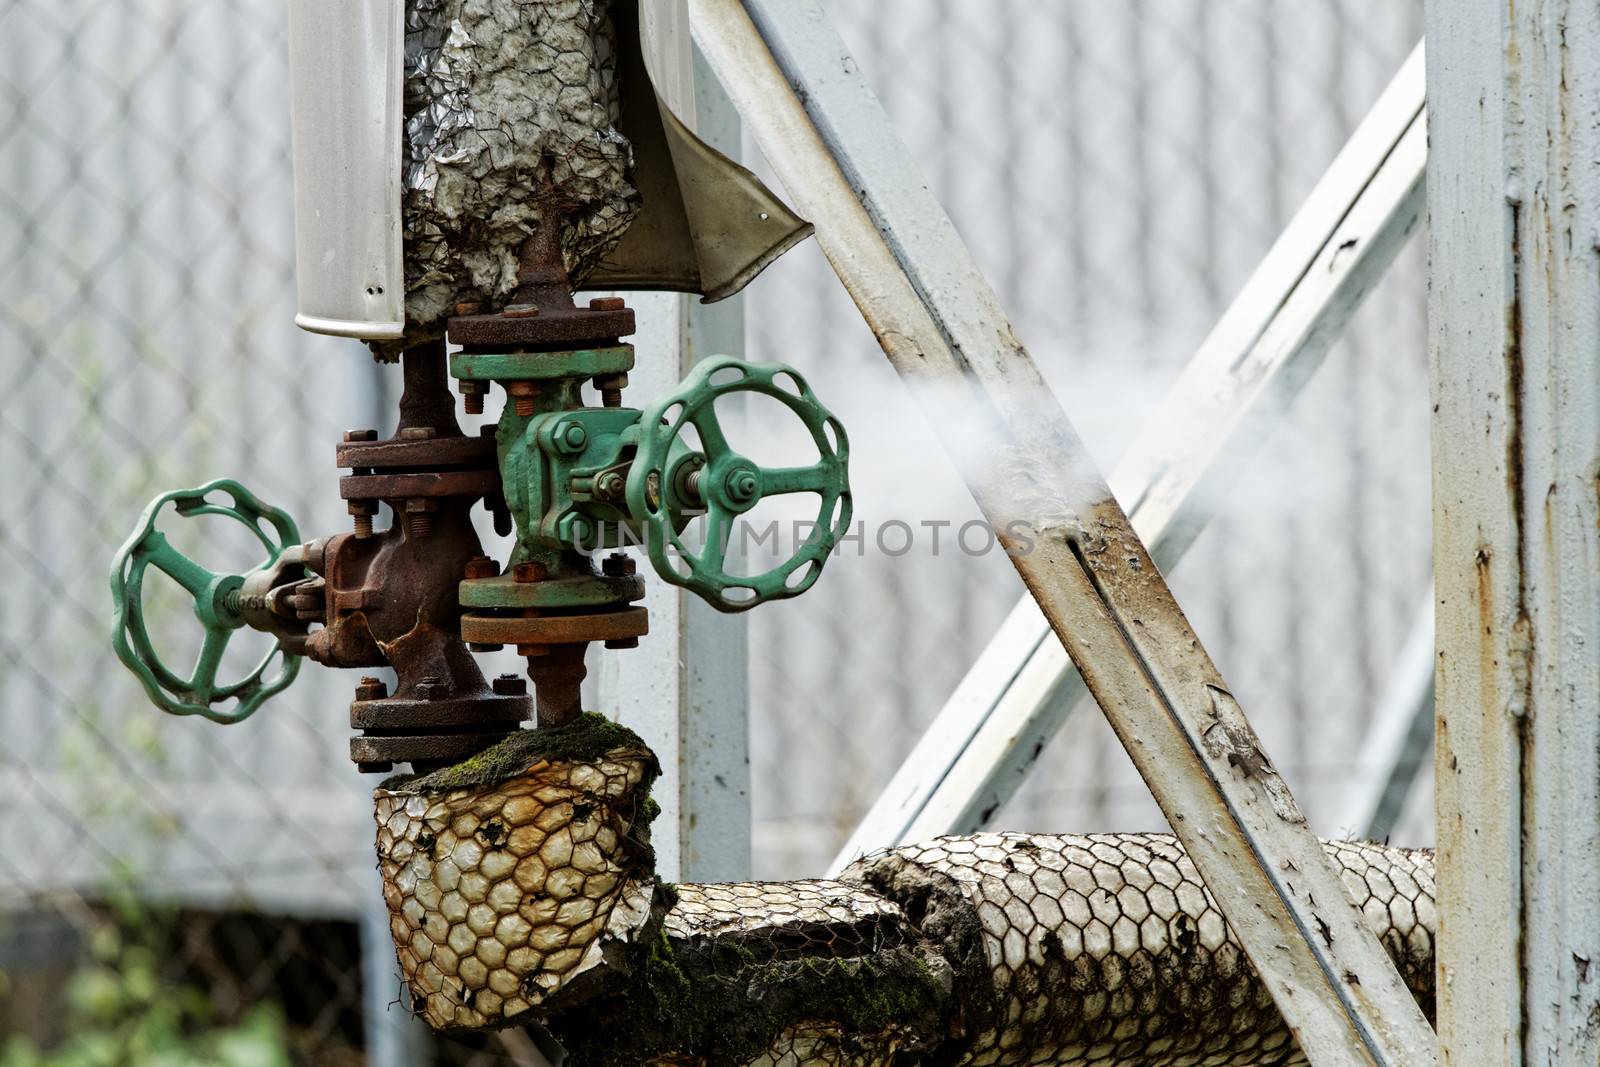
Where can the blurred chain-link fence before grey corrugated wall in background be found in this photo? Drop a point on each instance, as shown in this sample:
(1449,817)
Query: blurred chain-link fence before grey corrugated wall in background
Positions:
(174,889)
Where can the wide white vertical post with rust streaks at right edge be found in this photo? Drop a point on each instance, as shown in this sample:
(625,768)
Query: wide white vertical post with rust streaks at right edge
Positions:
(1514,319)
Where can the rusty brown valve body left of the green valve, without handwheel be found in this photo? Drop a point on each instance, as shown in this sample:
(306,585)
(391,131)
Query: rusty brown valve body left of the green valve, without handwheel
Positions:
(391,596)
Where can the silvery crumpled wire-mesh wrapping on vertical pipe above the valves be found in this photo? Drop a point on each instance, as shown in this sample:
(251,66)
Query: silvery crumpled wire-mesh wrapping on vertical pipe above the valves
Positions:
(511,114)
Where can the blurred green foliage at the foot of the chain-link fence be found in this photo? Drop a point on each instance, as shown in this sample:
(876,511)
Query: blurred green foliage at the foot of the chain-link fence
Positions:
(122,1013)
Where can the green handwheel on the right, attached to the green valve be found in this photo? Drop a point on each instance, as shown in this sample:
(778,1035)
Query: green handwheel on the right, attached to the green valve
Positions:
(670,484)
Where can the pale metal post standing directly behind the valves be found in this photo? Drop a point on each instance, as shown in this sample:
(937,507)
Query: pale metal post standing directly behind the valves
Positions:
(686,689)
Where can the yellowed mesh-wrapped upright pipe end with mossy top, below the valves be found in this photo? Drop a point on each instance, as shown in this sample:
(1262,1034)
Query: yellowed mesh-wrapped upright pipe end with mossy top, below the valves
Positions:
(513,877)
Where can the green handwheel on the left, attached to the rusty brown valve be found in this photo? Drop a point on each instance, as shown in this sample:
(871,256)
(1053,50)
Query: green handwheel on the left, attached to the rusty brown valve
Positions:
(217,604)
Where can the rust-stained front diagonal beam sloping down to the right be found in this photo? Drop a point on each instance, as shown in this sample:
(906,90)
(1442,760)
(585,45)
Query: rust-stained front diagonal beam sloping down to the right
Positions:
(943,330)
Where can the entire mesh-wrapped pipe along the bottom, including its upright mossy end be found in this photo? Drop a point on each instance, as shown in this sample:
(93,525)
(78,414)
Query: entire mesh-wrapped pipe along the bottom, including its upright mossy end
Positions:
(521,889)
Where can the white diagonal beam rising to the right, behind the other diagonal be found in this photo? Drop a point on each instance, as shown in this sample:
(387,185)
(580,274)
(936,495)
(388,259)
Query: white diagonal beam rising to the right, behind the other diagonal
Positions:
(1236,390)
